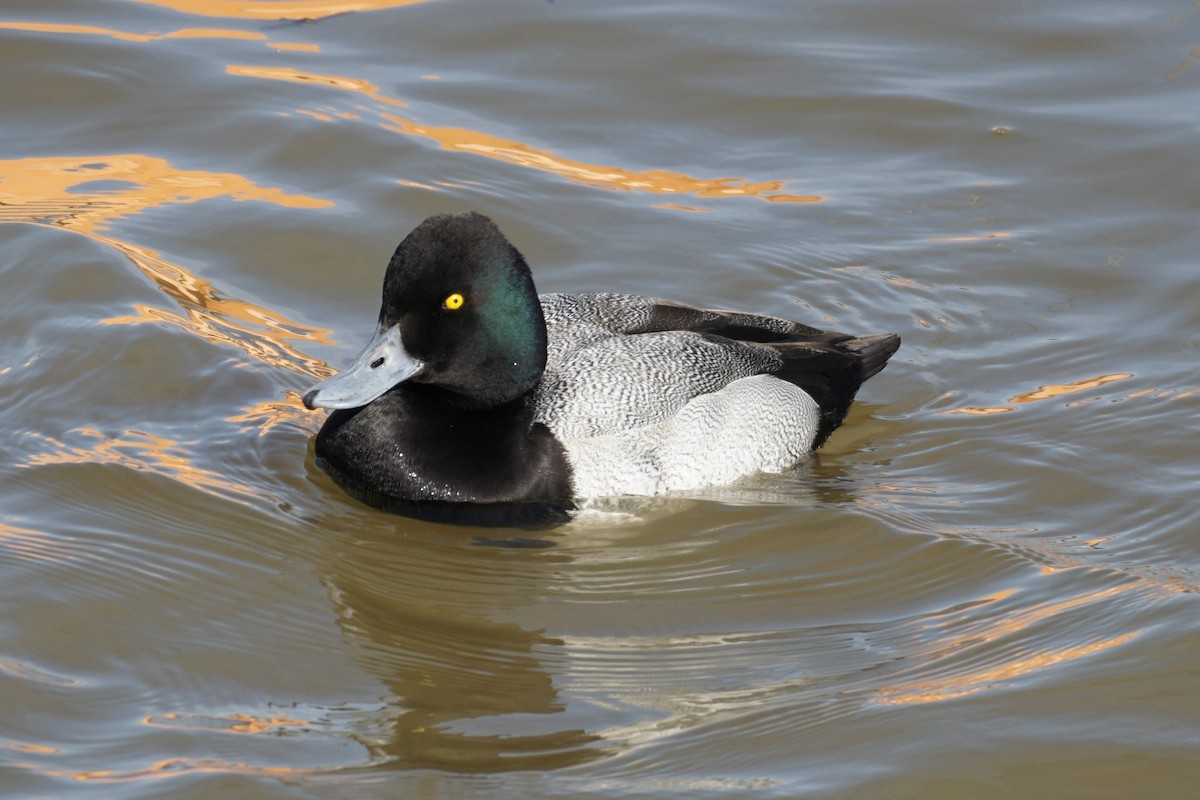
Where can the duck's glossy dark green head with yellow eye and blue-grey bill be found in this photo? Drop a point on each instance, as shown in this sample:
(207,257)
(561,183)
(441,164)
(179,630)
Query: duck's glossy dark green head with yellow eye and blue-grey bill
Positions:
(460,312)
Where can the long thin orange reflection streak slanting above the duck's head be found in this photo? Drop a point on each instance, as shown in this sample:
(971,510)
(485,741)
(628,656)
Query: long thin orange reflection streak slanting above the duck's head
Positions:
(657,182)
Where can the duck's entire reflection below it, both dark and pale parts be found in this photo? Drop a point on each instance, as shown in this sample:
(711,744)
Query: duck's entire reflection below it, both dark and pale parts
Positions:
(505,657)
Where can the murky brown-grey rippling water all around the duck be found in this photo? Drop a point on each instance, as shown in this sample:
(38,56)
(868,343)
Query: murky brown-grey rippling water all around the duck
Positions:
(983,588)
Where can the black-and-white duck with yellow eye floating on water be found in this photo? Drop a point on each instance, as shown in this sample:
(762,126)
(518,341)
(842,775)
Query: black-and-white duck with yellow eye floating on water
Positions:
(481,402)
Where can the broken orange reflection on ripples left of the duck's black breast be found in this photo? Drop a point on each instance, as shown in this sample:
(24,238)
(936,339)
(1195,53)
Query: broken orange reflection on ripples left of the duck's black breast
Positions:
(146,453)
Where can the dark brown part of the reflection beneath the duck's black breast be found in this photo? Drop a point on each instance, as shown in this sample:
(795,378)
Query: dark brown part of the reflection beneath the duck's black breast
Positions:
(467,690)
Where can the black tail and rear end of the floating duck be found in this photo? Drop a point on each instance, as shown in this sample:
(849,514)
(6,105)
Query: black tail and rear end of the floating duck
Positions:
(833,371)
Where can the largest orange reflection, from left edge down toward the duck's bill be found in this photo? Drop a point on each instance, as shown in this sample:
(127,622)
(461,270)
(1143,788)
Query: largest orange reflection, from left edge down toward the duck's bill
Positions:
(55,191)
